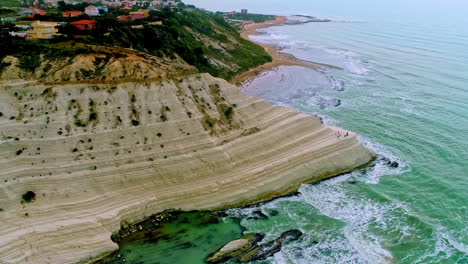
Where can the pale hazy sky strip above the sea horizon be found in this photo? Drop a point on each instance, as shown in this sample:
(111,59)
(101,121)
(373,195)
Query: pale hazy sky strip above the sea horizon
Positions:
(355,9)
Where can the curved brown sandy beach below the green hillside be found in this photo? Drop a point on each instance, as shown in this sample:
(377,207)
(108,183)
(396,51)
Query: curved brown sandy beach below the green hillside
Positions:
(278,58)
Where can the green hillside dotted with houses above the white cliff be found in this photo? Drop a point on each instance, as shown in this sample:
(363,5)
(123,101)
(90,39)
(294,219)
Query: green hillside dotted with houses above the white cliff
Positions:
(170,30)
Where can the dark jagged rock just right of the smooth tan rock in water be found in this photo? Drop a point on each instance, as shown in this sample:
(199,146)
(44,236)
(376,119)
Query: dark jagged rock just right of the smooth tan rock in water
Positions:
(264,251)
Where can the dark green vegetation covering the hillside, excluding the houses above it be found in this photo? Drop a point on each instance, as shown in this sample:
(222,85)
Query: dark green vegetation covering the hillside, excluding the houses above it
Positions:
(204,40)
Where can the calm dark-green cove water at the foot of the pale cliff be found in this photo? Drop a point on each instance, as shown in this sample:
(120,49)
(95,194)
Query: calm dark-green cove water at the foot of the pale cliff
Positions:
(187,239)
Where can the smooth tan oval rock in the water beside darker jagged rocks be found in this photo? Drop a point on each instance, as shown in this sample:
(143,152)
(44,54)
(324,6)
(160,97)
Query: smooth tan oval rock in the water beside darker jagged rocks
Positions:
(235,248)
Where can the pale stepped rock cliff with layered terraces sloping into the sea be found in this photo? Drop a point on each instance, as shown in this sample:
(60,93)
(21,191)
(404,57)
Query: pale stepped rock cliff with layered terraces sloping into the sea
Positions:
(100,155)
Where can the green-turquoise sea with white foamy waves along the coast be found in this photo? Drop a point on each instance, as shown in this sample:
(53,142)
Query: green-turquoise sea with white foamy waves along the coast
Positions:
(403,87)
